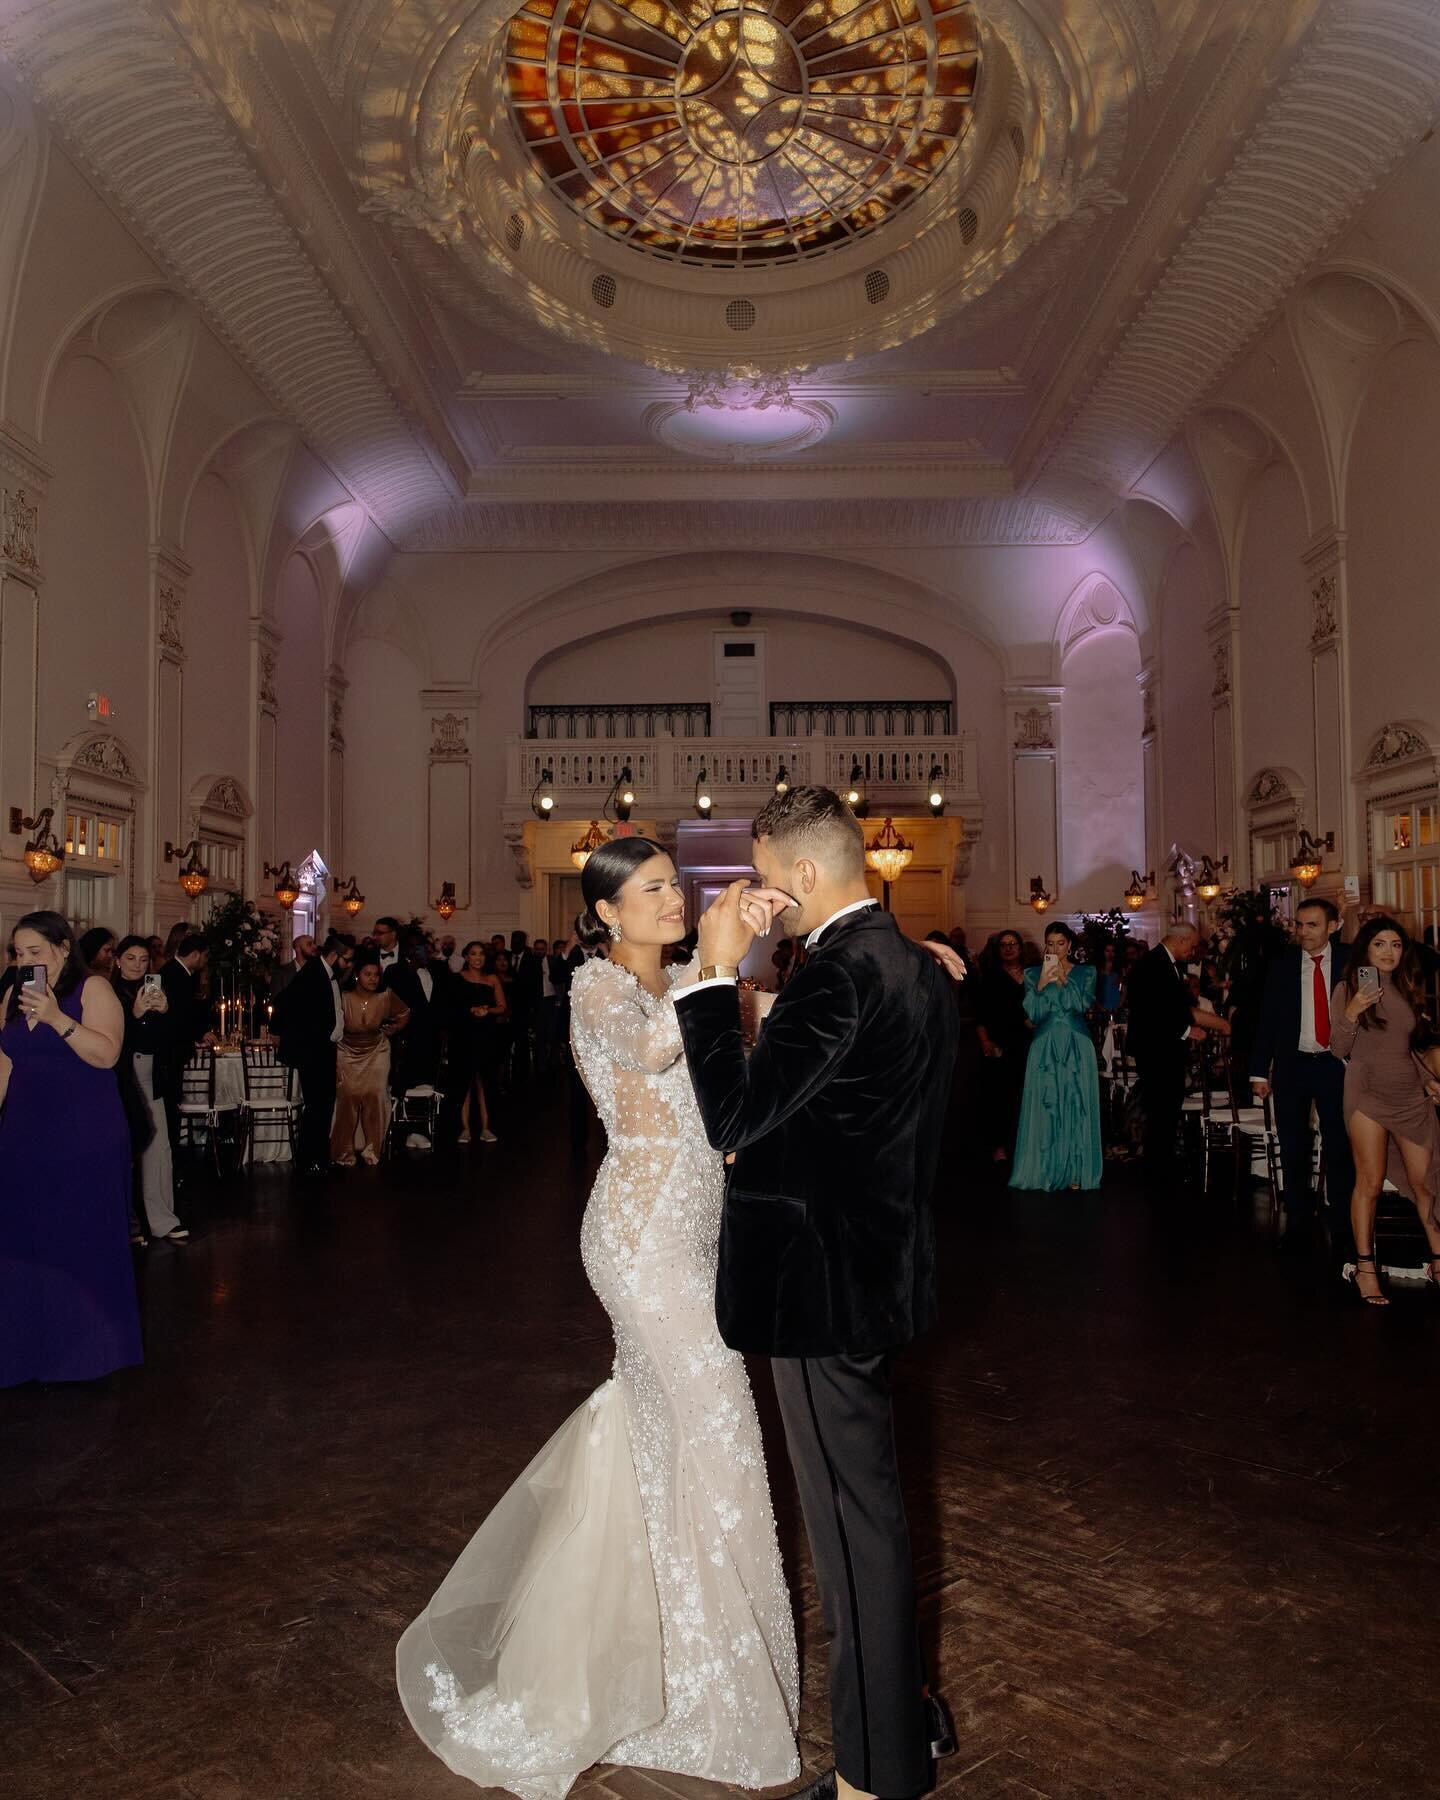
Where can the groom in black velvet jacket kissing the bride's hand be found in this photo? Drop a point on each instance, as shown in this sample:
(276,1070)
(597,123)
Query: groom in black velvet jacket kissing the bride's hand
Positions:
(827,1245)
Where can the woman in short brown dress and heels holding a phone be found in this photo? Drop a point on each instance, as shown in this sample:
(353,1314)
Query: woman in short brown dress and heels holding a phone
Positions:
(1381,1032)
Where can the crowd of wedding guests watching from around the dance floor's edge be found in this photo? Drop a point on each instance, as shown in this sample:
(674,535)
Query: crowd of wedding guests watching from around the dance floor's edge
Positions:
(96,1034)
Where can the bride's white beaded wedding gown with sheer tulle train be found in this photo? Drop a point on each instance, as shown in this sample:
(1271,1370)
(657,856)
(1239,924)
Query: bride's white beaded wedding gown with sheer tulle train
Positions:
(625,1603)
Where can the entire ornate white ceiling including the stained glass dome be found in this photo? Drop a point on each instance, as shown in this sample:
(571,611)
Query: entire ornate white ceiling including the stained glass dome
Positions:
(719,273)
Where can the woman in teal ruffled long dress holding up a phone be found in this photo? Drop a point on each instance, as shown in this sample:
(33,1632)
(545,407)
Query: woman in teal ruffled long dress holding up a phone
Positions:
(1059,1138)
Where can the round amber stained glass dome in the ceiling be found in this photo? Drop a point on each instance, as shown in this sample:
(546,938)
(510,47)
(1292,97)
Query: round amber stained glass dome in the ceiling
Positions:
(737,136)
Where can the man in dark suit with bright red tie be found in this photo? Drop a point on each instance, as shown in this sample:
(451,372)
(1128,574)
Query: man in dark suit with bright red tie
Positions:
(1291,1059)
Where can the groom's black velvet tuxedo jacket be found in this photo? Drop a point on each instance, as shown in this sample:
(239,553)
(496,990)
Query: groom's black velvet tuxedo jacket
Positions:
(827,1245)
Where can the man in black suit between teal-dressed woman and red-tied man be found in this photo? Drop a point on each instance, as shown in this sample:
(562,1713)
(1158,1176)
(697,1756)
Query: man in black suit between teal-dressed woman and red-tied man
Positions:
(1164,1021)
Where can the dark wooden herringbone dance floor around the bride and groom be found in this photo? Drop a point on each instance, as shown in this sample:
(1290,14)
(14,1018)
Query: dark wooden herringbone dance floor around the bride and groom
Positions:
(1174,1506)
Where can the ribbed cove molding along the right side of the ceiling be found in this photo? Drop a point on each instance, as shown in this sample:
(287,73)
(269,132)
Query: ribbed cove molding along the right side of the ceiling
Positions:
(1362,94)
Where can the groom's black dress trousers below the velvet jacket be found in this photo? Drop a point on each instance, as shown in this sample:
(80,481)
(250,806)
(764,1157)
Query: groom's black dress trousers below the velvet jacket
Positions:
(841,1441)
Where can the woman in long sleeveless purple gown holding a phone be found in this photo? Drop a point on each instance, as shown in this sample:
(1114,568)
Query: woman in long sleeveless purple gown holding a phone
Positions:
(67,1282)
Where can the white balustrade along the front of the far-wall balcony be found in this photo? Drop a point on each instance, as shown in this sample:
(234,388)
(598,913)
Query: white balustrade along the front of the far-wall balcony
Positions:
(741,773)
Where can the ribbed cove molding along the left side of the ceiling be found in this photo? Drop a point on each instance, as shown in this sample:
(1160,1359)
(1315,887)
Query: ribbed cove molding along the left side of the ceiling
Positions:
(116,82)
